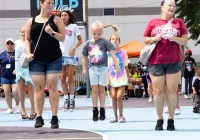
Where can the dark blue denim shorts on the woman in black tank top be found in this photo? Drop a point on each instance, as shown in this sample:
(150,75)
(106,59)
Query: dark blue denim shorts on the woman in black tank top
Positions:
(43,68)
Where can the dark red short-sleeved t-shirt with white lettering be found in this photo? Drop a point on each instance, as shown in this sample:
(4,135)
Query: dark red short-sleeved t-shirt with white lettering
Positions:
(166,52)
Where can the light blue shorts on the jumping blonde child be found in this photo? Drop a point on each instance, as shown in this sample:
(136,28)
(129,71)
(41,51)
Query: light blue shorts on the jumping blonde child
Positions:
(98,75)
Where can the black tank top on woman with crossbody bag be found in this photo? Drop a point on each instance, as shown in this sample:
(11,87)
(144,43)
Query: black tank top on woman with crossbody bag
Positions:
(48,48)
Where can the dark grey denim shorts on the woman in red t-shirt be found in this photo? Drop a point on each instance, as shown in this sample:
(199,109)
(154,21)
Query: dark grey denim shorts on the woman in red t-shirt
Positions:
(163,69)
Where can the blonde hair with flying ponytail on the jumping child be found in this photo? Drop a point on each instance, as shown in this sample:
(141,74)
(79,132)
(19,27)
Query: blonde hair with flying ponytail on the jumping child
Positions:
(99,25)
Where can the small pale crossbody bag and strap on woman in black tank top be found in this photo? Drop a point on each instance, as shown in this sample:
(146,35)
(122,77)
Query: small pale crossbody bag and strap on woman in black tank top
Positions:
(23,61)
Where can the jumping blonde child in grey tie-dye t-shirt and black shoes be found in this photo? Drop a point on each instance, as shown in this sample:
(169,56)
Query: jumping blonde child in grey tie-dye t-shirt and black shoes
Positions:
(96,50)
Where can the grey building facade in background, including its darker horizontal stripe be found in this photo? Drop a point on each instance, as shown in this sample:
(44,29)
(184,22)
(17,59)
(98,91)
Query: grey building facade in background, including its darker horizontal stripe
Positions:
(131,16)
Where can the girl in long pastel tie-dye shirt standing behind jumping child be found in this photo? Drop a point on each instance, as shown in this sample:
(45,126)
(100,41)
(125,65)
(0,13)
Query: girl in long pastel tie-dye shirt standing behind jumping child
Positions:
(118,81)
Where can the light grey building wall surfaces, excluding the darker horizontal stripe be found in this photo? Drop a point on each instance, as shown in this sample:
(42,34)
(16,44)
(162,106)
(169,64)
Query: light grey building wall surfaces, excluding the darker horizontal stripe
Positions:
(131,26)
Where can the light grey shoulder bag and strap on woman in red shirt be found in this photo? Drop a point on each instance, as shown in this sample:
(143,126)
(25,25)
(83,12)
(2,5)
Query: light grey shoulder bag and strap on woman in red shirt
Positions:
(147,51)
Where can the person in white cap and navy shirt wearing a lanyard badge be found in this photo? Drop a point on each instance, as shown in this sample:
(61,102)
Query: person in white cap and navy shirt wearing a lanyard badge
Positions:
(8,77)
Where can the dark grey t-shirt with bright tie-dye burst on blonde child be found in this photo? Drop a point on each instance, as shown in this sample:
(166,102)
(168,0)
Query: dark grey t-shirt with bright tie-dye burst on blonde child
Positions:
(97,51)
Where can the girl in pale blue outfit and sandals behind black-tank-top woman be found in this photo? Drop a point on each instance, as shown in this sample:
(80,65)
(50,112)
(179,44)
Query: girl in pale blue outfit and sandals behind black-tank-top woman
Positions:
(23,78)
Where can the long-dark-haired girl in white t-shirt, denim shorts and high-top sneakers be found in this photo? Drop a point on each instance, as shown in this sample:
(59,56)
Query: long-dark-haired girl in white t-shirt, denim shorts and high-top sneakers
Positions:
(68,48)
